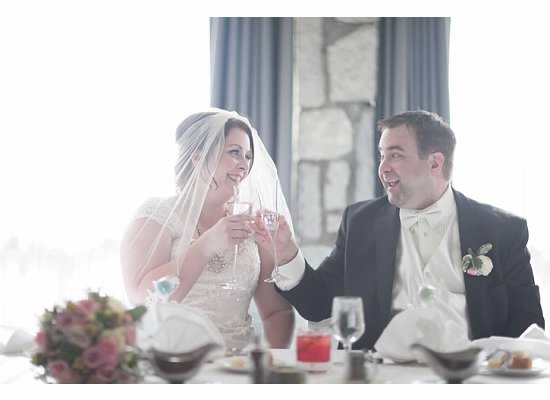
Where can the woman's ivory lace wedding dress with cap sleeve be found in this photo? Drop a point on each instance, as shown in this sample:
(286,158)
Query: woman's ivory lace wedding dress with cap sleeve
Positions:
(227,309)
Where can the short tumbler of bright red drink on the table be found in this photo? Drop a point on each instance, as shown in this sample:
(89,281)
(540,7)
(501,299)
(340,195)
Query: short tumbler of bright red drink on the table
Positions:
(313,348)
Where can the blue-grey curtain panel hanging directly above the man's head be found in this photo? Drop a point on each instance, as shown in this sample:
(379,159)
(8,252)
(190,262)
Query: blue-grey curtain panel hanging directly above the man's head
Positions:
(413,68)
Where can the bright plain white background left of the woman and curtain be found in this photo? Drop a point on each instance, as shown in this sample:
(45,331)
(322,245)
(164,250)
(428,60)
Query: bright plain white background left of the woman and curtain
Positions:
(91,95)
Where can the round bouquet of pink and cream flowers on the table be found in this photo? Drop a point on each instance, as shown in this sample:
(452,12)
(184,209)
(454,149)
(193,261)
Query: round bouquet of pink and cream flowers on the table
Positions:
(89,341)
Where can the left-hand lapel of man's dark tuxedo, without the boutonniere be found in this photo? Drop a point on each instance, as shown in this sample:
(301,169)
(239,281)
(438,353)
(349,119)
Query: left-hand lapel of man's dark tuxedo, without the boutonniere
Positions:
(387,227)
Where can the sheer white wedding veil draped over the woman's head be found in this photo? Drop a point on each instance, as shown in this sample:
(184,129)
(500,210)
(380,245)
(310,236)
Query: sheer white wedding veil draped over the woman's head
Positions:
(200,141)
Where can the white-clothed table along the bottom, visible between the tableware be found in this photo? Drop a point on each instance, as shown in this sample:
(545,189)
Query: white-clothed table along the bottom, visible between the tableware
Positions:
(19,370)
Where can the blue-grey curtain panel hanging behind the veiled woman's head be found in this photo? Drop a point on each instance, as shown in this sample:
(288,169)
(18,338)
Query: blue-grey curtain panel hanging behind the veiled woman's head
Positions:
(251,67)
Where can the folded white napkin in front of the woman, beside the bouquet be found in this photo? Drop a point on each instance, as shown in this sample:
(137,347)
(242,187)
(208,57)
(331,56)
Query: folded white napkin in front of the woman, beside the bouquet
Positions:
(176,328)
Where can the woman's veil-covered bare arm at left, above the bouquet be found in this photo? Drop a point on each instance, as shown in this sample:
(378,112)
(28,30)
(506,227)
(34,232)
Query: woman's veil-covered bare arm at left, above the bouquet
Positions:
(145,257)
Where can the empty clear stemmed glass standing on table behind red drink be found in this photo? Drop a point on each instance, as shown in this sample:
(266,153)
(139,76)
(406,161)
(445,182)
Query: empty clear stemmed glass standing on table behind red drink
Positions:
(348,323)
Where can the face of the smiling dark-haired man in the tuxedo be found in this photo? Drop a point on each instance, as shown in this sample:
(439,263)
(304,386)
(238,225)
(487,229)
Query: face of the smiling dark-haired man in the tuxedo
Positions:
(407,178)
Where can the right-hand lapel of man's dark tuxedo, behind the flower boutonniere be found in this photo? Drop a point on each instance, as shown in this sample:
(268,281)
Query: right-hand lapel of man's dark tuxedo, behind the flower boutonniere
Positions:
(471,236)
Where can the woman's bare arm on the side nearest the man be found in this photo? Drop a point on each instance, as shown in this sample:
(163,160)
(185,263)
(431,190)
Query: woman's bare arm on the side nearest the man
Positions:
(276,313)
